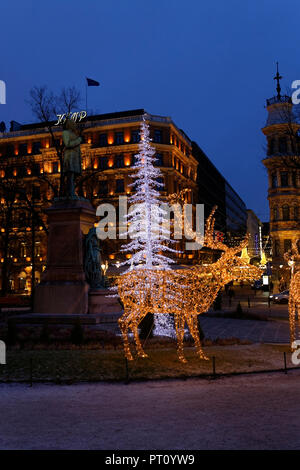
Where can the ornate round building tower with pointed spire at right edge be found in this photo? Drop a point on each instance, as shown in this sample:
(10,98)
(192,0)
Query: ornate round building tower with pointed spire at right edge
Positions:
(283,166)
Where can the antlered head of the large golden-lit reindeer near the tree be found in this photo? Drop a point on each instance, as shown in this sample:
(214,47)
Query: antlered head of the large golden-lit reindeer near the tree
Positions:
(230,266)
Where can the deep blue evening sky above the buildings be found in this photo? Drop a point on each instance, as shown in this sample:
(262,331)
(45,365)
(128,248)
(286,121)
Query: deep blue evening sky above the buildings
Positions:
(208,65)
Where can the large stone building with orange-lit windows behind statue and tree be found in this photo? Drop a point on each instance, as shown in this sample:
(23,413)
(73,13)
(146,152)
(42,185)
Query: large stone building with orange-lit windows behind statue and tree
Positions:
(110,141)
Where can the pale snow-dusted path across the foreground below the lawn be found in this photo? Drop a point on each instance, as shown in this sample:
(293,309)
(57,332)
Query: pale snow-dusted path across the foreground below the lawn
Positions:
(192,414)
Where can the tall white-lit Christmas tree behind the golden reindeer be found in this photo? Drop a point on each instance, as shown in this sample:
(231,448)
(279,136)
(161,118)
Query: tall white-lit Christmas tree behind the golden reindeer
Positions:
(149,239)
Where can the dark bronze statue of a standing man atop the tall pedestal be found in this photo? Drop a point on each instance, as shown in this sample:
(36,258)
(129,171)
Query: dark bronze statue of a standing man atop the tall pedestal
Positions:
(71,157)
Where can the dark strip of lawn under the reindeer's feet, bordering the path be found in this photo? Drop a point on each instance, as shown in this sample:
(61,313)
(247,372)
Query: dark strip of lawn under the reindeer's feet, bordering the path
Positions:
(109,365)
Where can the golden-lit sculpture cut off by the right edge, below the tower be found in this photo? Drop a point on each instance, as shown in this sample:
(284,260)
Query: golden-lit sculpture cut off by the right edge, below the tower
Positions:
(293,259)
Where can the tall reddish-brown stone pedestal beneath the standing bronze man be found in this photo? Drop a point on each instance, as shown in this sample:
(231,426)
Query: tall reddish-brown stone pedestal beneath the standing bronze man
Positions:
(63,288)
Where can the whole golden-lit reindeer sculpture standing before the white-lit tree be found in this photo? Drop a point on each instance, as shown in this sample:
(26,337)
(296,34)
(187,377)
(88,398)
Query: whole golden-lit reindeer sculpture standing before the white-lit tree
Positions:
(185,293)
